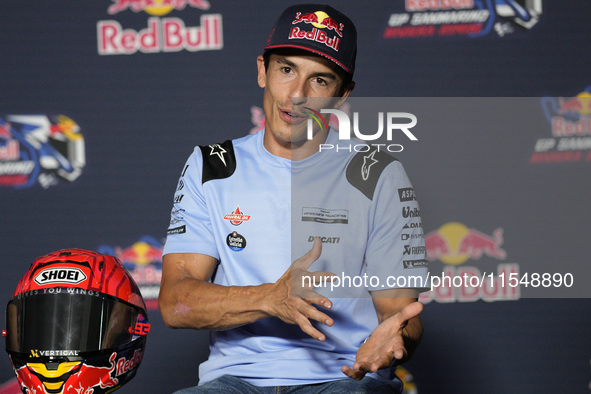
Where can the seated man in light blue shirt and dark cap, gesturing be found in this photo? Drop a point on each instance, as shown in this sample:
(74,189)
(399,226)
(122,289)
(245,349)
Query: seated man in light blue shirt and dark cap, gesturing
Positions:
(245,209)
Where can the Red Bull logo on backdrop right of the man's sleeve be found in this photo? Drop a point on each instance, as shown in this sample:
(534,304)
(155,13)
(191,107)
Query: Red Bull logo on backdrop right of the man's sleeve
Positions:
(454,244)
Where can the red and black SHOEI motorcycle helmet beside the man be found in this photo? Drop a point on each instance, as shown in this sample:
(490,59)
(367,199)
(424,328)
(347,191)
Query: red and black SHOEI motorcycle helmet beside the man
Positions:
(76,323)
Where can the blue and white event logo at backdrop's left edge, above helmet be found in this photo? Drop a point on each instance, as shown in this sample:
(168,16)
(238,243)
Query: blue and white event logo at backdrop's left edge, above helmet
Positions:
(39,149)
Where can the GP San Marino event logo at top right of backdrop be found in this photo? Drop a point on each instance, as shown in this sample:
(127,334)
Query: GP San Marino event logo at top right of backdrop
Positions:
(468,18)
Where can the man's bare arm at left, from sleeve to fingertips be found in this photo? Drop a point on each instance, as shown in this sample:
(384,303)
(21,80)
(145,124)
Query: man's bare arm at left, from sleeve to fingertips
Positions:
(188,300)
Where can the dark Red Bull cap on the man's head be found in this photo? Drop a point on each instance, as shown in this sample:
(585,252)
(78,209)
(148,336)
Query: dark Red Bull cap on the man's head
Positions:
(319,29)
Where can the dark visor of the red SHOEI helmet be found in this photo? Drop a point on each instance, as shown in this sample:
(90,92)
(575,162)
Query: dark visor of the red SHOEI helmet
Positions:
(67,322)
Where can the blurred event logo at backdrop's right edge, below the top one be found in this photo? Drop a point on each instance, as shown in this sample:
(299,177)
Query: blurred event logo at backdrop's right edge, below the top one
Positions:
(569,130)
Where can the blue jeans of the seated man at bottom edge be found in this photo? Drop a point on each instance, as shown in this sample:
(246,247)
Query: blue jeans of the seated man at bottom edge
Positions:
(231,384)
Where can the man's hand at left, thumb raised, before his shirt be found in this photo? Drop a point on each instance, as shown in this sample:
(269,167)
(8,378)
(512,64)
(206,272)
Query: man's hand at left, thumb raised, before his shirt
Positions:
(294,303)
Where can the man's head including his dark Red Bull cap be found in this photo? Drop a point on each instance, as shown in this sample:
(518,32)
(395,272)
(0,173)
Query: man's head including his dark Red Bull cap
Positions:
(310,53)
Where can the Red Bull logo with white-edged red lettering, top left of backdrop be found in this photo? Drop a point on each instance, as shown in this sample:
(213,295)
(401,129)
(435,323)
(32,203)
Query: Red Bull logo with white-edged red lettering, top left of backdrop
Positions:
(161,34)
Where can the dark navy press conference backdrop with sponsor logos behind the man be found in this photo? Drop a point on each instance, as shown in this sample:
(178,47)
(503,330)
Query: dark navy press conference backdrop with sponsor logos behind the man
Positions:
(102,101)
